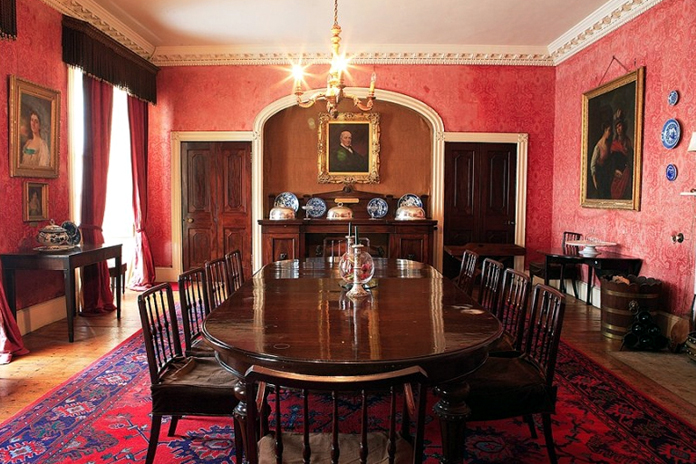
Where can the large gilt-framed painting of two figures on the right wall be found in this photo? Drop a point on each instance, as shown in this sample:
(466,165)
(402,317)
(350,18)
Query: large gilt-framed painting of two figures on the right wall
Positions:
(612,140)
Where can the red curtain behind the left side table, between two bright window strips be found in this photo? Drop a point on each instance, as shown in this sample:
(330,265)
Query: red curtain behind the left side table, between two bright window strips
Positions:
(98,97)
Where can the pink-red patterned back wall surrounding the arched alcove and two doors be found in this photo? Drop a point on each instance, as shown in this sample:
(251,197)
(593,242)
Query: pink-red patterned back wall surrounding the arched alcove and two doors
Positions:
(468,98)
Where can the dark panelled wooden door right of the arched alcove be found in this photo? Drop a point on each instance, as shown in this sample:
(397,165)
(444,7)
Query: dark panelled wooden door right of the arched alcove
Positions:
(480,195)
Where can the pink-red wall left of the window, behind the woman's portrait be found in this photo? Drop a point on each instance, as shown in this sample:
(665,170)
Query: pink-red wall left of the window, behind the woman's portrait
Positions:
(34,56)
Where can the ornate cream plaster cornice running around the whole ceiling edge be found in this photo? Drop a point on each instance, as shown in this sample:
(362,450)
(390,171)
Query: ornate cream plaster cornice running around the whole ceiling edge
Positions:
(603,21)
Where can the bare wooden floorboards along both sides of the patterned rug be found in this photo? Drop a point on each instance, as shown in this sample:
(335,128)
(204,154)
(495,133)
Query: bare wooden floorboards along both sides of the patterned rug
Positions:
(53,360)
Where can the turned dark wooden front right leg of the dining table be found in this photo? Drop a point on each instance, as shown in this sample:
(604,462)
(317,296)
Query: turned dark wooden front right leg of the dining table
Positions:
(452,411)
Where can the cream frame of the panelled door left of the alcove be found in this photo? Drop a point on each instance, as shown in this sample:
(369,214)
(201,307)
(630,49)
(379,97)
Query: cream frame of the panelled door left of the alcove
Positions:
(177,137)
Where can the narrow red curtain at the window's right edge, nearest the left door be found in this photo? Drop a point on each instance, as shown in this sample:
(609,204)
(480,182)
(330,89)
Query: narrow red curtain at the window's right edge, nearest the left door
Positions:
(144,265)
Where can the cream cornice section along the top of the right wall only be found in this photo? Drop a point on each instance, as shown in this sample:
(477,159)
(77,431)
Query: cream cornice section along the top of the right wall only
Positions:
(606,19)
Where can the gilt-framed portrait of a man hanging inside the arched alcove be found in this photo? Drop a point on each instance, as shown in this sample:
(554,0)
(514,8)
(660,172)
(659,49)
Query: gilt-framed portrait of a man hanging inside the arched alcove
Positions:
(349,148)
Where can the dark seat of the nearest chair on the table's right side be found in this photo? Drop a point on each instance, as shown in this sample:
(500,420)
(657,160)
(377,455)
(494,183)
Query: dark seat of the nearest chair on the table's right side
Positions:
(508,387)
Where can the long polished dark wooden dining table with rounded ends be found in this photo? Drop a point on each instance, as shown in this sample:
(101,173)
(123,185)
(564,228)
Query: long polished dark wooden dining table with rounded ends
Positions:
(295,316)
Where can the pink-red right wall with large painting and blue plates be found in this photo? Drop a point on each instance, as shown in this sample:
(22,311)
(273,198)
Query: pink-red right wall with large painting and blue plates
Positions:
(661,40)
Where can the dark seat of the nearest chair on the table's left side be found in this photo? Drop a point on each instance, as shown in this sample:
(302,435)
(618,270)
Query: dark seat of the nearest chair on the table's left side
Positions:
(195,386)
